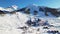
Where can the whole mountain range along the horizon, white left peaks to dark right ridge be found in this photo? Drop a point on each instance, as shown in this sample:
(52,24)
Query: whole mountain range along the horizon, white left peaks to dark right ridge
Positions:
(40,11)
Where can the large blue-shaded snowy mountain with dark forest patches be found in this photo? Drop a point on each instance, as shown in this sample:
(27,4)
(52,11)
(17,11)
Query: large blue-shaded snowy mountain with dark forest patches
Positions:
(40,11)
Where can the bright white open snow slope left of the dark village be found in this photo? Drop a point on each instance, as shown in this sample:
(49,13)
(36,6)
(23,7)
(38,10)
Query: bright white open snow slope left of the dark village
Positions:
(10,23)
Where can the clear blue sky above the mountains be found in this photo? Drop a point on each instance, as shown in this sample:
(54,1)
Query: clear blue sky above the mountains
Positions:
(23,3)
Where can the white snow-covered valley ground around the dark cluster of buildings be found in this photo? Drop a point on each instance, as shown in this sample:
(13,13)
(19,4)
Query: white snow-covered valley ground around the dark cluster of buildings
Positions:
(9,24)
